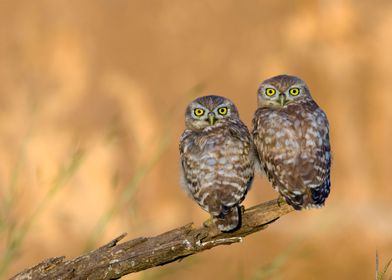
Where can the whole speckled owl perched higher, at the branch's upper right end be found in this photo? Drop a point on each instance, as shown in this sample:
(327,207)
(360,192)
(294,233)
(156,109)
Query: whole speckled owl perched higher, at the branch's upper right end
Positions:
(291,135)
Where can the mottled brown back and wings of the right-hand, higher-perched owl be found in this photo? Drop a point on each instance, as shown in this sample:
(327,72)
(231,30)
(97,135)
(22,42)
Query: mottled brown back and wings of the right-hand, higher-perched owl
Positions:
(293,147)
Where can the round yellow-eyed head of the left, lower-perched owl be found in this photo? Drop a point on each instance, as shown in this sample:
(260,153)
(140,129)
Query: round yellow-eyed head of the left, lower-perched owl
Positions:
(208,111)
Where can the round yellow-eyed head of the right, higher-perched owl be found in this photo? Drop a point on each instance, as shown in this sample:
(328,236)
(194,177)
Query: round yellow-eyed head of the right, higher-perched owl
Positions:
(279,91)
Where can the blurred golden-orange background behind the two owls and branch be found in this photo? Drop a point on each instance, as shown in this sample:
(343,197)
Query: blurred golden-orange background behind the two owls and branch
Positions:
(92,98)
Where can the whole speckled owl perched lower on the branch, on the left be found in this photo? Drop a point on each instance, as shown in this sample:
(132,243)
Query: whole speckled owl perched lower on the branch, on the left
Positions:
(217,159)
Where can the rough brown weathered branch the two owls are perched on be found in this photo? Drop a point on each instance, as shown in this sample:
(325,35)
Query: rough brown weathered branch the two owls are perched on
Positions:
(115,259)
